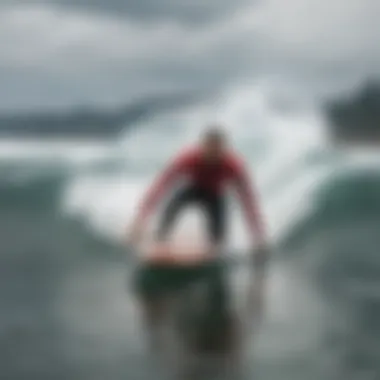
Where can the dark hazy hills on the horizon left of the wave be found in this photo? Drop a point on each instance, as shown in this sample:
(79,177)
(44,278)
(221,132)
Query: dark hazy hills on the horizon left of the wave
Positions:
(88,123)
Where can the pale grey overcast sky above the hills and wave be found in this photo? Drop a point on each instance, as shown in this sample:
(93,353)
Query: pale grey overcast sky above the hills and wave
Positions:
(57,53)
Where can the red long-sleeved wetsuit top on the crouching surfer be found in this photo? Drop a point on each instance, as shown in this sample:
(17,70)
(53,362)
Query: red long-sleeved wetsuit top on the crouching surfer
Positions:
(212,178)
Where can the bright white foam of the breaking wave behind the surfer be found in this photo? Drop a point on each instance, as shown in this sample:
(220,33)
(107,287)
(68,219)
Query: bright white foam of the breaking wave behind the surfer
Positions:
(109,203)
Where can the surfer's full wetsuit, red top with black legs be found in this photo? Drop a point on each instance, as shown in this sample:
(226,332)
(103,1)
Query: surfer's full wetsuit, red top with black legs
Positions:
(205,185)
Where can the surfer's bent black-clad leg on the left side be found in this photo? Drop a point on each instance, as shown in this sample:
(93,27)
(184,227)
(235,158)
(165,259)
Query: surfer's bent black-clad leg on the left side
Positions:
(172,210)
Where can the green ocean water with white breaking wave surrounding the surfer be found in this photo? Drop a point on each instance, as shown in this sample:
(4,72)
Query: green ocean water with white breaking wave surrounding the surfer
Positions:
(66,309)
